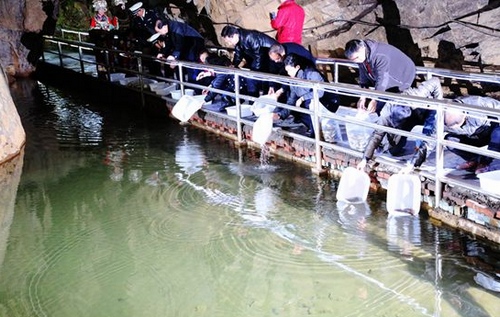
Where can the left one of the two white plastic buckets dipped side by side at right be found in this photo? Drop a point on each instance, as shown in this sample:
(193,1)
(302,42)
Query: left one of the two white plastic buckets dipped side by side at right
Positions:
(353,186)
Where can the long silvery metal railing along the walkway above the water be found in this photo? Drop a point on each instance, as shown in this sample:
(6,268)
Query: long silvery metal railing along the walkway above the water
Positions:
(336,87)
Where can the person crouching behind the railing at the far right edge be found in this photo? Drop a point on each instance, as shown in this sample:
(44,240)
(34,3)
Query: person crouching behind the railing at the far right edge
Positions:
(475,130)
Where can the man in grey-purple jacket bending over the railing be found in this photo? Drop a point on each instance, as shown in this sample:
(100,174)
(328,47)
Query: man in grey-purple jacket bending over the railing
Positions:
(382,66)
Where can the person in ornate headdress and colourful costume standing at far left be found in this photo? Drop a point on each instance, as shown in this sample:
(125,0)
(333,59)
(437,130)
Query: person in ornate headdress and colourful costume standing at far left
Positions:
(100,26)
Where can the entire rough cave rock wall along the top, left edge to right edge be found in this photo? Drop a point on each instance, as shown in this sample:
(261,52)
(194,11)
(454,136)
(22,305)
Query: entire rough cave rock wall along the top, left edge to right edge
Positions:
(417,27)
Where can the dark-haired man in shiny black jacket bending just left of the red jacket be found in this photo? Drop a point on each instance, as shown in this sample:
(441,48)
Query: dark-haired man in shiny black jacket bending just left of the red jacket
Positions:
(251,46)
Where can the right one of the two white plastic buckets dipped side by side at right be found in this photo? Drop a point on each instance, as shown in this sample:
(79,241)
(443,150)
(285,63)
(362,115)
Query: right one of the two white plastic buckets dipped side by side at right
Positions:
(403,194)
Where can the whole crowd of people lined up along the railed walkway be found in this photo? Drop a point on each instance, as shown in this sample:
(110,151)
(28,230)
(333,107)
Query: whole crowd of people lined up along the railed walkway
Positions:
(381,66)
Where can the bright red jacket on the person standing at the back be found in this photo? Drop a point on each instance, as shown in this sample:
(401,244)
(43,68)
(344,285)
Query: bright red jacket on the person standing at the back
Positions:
(289,22)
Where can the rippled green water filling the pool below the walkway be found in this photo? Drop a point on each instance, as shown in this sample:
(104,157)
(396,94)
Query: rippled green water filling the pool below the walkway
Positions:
(118,215)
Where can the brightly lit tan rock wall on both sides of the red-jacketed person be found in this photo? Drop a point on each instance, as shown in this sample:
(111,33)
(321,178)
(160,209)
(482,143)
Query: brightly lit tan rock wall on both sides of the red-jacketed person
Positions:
(330,24)
